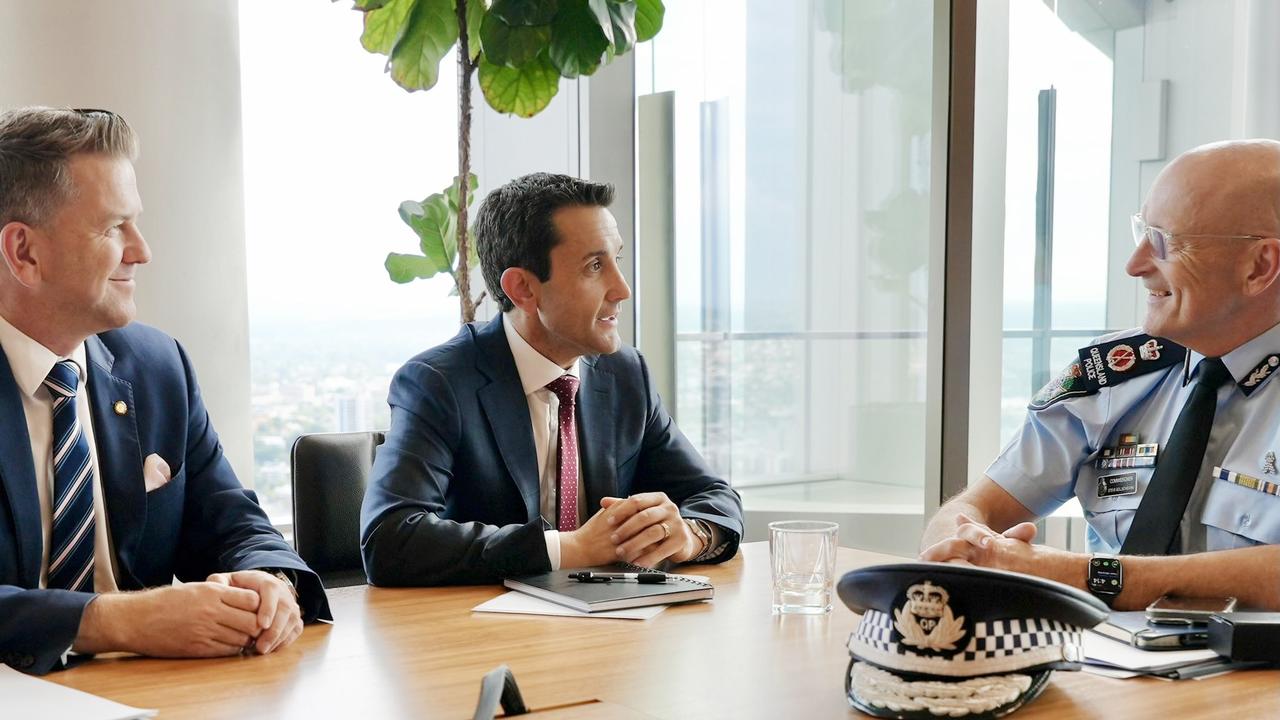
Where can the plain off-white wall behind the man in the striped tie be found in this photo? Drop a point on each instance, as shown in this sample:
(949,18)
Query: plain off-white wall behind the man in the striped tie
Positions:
(173,71)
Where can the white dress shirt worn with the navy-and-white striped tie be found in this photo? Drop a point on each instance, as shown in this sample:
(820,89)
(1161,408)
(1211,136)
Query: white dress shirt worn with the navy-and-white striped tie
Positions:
(31,364)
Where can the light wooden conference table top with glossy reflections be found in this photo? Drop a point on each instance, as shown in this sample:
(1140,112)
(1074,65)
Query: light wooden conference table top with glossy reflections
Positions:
(422,654)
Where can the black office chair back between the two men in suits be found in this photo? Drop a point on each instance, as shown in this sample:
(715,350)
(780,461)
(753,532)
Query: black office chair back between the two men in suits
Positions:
(330,473)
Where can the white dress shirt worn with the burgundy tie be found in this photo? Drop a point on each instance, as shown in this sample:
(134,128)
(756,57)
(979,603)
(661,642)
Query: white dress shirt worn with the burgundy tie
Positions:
(536,372)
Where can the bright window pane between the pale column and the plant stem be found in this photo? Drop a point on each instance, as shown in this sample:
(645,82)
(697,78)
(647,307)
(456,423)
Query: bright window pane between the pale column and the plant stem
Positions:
(322,188)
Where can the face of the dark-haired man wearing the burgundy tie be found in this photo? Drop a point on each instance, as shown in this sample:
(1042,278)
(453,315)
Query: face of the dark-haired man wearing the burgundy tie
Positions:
(578,306)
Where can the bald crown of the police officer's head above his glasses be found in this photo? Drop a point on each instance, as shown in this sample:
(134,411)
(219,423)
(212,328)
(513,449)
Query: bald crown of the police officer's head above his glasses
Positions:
(1223,189)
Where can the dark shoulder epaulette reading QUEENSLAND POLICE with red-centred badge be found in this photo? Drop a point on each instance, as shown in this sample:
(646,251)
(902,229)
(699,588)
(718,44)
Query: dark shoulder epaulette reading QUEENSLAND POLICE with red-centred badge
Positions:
(1109,364)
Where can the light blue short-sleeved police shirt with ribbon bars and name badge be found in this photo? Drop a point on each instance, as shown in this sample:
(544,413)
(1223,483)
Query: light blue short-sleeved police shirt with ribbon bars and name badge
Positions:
(1054,455)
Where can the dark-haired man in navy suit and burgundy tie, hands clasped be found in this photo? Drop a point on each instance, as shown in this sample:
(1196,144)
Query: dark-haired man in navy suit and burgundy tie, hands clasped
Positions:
(537,441)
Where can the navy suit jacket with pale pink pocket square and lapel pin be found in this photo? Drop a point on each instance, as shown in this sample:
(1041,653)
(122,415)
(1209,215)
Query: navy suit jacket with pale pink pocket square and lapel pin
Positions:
(202,522)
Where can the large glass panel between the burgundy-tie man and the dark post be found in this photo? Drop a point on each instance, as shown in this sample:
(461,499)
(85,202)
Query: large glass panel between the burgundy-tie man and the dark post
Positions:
(803,152)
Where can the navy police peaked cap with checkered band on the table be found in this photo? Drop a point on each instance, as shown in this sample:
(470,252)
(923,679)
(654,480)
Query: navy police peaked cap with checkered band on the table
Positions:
(940,640)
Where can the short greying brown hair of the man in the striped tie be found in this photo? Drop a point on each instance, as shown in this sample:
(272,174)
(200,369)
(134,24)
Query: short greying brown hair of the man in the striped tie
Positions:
(36,147)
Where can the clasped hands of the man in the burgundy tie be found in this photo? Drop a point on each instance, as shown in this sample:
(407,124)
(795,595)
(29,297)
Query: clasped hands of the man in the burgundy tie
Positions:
(643,530)
